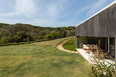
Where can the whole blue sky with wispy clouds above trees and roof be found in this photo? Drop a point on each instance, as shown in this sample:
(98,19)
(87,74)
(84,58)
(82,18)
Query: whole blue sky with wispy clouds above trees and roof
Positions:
(49,13)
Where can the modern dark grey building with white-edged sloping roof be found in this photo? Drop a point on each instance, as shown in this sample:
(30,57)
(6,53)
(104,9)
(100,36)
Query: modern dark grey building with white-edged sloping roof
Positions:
(102,24)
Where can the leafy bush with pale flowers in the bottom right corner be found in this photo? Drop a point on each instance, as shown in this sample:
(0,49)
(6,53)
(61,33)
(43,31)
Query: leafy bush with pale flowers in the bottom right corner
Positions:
(100,69)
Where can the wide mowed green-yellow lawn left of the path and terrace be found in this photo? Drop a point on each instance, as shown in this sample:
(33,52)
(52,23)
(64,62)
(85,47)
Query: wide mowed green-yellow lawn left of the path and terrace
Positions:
(41,59)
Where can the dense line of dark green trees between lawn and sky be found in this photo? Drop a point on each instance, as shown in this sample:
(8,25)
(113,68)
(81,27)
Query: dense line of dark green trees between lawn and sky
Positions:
(19,32)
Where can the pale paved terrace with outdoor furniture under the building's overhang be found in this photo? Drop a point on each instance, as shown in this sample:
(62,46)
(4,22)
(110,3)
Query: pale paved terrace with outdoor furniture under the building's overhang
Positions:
(90,51)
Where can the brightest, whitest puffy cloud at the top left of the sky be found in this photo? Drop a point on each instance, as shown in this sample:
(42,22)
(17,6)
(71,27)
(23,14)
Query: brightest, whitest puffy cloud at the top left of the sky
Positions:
(27,7)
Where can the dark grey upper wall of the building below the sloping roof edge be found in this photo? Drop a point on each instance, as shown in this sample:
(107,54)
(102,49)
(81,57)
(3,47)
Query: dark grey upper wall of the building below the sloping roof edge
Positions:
(101,25)
